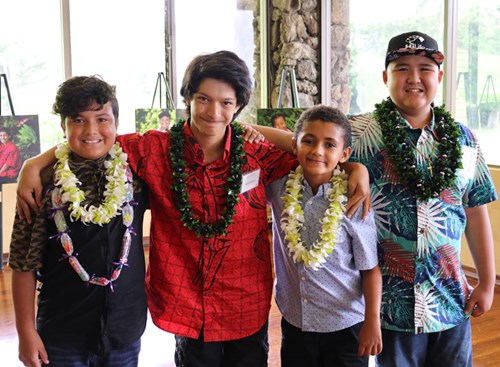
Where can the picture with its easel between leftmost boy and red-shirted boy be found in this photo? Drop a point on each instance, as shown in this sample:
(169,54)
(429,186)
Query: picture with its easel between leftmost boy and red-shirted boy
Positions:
(158,118)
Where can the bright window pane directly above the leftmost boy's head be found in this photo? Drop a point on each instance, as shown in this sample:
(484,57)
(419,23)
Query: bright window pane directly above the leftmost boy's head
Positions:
(123,41)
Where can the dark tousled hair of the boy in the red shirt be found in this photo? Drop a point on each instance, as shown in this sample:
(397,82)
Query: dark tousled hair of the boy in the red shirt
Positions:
(222,65)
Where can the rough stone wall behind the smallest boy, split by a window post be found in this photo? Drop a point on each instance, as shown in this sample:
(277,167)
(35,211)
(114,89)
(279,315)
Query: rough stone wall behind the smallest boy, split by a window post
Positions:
(294,41)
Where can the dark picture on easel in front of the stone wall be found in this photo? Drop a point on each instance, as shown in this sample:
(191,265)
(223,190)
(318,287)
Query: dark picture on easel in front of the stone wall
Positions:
(283,118)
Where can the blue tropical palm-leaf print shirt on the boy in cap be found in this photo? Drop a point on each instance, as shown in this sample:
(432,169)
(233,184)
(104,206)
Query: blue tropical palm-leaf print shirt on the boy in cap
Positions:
(424,287)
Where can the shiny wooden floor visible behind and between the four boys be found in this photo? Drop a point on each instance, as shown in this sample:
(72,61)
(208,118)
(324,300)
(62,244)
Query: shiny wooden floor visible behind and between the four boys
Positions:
(158,346)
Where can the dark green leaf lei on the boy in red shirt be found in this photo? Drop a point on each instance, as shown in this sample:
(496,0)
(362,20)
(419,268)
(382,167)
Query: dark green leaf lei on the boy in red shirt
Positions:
(180,191)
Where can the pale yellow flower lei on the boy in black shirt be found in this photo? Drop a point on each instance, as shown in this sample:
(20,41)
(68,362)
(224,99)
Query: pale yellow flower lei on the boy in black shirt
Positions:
(114,195)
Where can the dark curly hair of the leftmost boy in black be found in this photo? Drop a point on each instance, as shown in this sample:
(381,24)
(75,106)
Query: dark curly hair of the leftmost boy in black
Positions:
(79,93)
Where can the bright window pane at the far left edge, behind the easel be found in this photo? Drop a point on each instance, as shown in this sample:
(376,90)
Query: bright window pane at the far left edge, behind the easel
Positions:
(30,57)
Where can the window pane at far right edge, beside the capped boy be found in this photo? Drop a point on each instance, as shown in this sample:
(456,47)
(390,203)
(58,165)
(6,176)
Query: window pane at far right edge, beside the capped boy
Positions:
(478,72)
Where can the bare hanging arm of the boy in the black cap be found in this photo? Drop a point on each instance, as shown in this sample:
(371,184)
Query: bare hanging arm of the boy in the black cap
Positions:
(480,241)
